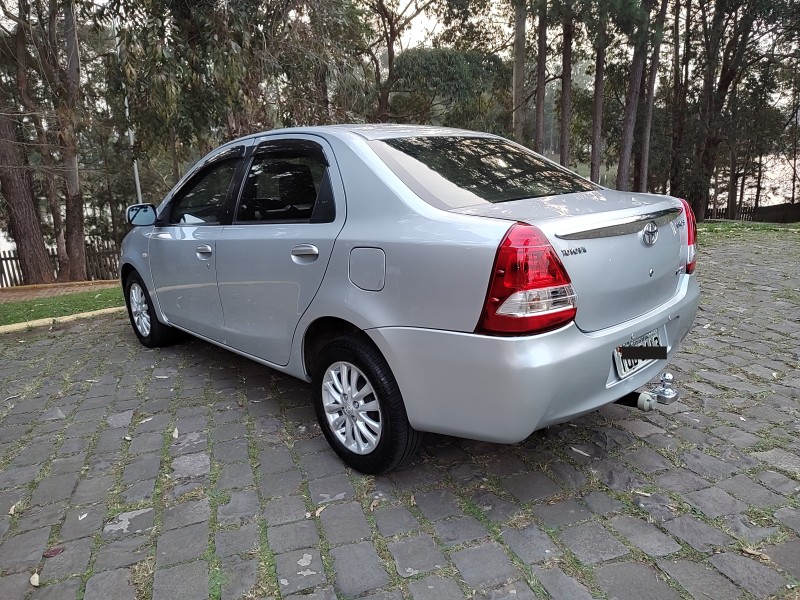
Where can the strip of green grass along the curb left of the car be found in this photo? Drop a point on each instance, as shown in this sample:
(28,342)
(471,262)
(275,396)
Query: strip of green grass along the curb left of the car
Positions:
(59,306)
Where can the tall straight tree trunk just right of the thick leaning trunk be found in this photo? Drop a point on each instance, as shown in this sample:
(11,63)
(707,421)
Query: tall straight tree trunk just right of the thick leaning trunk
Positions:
(76,243)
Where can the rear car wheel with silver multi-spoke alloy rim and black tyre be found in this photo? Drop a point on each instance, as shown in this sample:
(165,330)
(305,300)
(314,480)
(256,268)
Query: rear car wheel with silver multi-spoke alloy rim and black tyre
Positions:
(359,407)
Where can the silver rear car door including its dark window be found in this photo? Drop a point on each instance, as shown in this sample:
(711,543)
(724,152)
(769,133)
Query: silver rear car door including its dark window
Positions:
(272,258)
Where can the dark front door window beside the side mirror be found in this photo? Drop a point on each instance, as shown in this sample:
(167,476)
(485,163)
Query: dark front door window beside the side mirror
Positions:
(203,199)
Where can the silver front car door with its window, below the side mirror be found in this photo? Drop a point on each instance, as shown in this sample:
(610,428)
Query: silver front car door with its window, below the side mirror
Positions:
(183,245)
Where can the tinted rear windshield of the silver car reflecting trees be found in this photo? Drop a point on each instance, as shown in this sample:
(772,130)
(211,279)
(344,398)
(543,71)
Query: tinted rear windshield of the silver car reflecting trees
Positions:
(455,172)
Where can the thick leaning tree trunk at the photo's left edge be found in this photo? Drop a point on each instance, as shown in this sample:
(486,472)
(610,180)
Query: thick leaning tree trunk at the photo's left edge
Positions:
(23,218)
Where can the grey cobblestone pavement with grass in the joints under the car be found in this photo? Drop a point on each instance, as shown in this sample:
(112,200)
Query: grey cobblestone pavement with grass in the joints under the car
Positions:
(192,473)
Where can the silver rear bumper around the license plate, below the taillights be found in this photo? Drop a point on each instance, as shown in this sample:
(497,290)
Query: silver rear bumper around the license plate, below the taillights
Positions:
(502,389)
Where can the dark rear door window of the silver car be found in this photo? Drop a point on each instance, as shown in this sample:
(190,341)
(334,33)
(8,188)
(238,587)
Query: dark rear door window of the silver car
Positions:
(287,183)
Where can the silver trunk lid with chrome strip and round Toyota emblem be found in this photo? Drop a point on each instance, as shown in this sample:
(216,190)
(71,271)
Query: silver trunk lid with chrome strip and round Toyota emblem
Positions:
(623,252)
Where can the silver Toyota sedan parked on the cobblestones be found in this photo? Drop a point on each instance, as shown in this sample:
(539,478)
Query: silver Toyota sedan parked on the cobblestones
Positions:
(421,278)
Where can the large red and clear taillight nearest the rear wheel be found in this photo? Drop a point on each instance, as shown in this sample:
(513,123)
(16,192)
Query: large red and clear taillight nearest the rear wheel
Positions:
(529,291)
